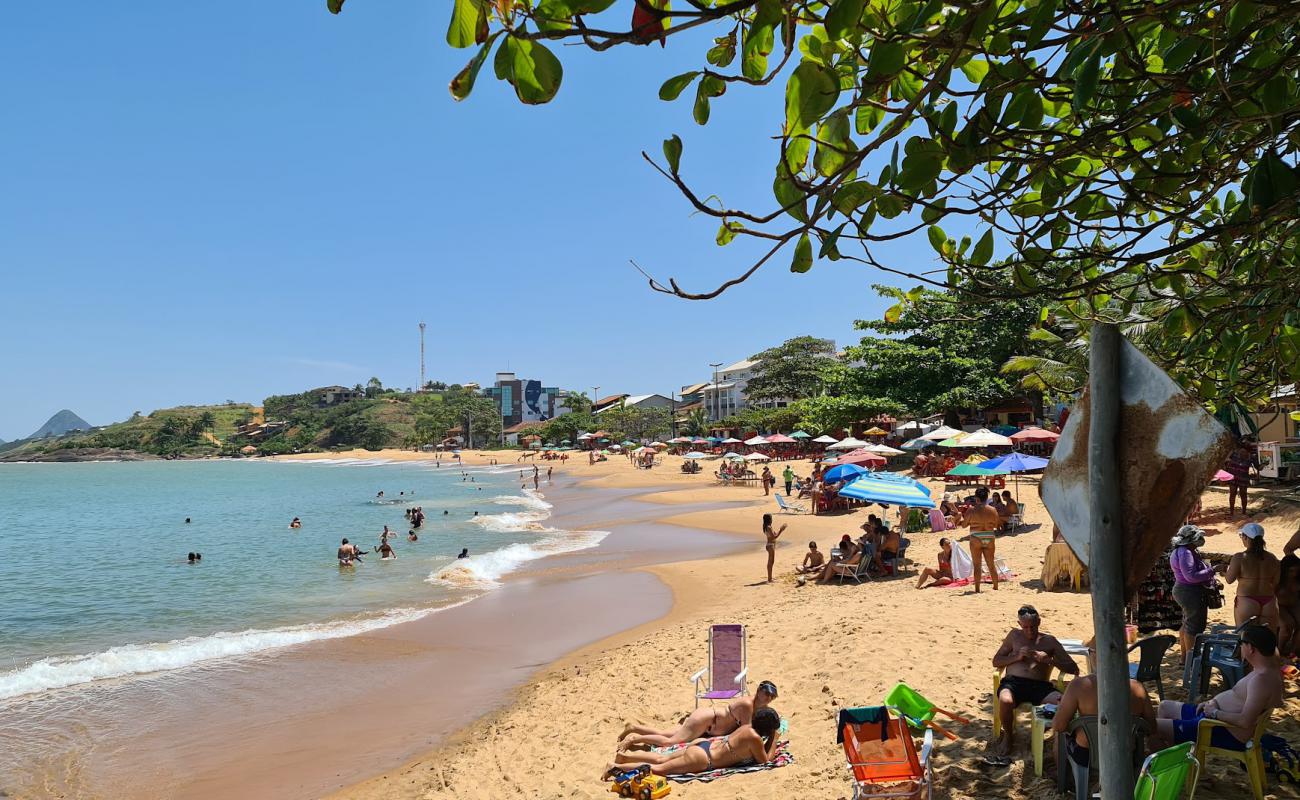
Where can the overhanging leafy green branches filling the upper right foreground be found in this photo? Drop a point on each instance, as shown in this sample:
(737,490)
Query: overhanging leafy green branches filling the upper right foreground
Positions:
(1134,158)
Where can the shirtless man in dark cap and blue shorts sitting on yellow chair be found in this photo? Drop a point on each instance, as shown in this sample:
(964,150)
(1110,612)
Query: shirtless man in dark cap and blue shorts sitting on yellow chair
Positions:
(1242,707)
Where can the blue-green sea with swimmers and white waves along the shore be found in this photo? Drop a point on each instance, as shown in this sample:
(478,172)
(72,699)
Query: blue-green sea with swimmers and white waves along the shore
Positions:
(96,583)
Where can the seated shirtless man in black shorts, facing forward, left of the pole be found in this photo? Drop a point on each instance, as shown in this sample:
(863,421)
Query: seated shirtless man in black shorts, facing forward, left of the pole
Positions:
(1026,660)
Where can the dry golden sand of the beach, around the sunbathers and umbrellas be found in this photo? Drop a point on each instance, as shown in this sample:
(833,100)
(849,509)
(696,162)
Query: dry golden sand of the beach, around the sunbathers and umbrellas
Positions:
(826,647)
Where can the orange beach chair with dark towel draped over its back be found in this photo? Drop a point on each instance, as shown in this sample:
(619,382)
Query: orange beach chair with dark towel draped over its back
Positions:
(883,758)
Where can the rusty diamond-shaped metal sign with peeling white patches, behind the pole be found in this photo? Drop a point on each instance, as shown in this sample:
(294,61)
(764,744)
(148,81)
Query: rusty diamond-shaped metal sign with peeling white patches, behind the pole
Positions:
(1168,448)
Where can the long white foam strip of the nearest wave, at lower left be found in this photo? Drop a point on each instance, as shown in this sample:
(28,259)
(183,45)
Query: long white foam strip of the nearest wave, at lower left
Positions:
(158,658)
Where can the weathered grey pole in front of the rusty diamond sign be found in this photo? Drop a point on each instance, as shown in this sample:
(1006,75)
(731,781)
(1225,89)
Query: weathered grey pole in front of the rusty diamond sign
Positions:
(1107,567)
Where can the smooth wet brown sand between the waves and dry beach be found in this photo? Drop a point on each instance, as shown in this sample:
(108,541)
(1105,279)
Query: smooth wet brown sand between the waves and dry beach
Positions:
(307,720)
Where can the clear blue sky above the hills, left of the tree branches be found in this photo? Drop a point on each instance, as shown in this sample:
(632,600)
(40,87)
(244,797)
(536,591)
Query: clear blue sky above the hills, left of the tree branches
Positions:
(210,202)
